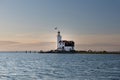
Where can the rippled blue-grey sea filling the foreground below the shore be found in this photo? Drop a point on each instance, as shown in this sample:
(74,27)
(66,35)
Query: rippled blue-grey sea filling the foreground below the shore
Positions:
(43,66)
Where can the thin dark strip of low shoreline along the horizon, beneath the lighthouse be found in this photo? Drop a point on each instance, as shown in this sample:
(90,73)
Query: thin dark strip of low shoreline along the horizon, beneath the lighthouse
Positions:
(64,52)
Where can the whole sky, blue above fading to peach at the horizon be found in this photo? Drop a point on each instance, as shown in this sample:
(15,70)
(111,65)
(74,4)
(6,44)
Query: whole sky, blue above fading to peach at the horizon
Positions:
(29,24)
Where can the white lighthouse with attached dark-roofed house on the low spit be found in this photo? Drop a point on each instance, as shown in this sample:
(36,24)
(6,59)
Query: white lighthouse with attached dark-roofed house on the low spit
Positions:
(64,45)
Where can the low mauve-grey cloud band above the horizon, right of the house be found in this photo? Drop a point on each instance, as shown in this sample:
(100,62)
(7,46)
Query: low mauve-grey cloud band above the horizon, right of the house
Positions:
(99,46)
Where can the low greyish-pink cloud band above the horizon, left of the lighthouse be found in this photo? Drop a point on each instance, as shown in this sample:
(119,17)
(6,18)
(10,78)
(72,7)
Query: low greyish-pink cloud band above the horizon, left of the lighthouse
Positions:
(18,46)
